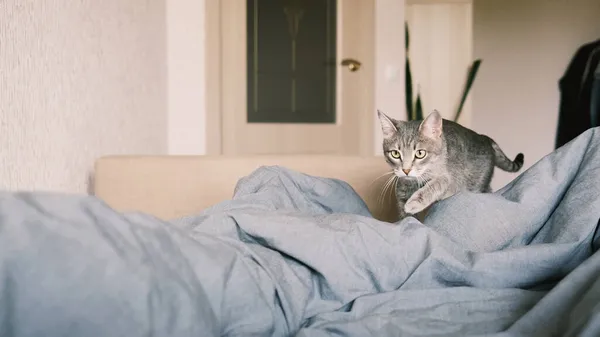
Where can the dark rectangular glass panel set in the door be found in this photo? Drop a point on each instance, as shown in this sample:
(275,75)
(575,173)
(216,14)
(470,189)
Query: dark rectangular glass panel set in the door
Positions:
(291,61)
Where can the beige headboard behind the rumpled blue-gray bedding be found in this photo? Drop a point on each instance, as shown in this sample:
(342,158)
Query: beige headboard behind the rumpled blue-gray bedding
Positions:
(174,186)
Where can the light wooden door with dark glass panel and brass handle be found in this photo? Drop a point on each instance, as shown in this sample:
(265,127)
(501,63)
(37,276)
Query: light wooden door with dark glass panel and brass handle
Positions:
(297,76)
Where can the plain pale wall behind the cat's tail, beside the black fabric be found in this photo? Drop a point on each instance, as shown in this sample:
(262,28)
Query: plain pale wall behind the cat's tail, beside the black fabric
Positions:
(526,46)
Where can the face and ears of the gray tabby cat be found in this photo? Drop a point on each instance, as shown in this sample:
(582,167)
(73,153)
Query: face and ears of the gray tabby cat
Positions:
(413,149)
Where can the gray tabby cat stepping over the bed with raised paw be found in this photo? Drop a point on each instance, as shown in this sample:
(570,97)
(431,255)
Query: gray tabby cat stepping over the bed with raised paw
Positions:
(436,158)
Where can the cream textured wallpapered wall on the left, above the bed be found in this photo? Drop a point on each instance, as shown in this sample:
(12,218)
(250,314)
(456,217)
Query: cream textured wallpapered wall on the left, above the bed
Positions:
(78,80)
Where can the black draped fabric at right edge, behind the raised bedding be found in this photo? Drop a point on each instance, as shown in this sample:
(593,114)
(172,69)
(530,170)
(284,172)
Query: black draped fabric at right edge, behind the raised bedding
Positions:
(579,90)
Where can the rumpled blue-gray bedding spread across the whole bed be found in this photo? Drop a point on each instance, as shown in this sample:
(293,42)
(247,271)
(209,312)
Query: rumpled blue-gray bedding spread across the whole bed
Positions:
(296,255)
